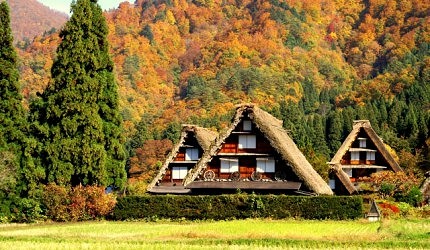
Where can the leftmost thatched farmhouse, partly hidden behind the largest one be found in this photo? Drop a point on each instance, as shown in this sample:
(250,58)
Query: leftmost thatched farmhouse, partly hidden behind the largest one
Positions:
(194,140)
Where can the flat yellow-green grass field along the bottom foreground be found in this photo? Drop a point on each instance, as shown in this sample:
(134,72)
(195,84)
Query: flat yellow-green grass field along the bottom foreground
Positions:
(239,234)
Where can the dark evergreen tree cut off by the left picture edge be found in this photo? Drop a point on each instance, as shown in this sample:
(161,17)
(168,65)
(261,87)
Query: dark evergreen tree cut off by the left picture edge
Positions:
(12,115)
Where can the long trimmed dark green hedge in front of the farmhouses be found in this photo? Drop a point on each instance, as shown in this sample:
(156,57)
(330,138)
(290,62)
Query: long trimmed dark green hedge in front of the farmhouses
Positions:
(224,207)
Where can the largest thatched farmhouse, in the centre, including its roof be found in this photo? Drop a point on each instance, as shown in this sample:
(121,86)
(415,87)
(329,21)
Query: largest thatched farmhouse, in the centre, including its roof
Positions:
(254,154)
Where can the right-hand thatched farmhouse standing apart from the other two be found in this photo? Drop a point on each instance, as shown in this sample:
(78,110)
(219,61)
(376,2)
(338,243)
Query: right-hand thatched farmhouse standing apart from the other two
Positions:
(361,154)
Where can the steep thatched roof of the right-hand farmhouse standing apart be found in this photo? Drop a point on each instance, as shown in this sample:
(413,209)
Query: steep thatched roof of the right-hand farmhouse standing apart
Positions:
(377,141)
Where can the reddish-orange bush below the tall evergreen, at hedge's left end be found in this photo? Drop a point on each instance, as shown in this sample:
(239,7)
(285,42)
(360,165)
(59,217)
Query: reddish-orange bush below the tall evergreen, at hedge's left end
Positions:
(78,203)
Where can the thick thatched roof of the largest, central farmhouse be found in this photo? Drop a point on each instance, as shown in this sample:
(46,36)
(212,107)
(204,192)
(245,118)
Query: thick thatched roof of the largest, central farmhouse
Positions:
(272,129)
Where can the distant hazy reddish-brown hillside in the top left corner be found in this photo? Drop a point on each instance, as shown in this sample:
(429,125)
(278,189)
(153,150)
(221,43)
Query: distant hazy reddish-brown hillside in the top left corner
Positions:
(31,18)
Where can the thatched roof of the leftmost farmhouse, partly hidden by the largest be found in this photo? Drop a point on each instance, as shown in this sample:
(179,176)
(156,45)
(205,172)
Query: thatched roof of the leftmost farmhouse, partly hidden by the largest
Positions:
(204,138)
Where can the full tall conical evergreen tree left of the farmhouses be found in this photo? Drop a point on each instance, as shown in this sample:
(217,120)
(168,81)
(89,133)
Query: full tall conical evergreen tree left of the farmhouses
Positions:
(77,117)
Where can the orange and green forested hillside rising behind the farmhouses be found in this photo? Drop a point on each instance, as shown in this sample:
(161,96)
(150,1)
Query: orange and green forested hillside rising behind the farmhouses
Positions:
(318,65)
